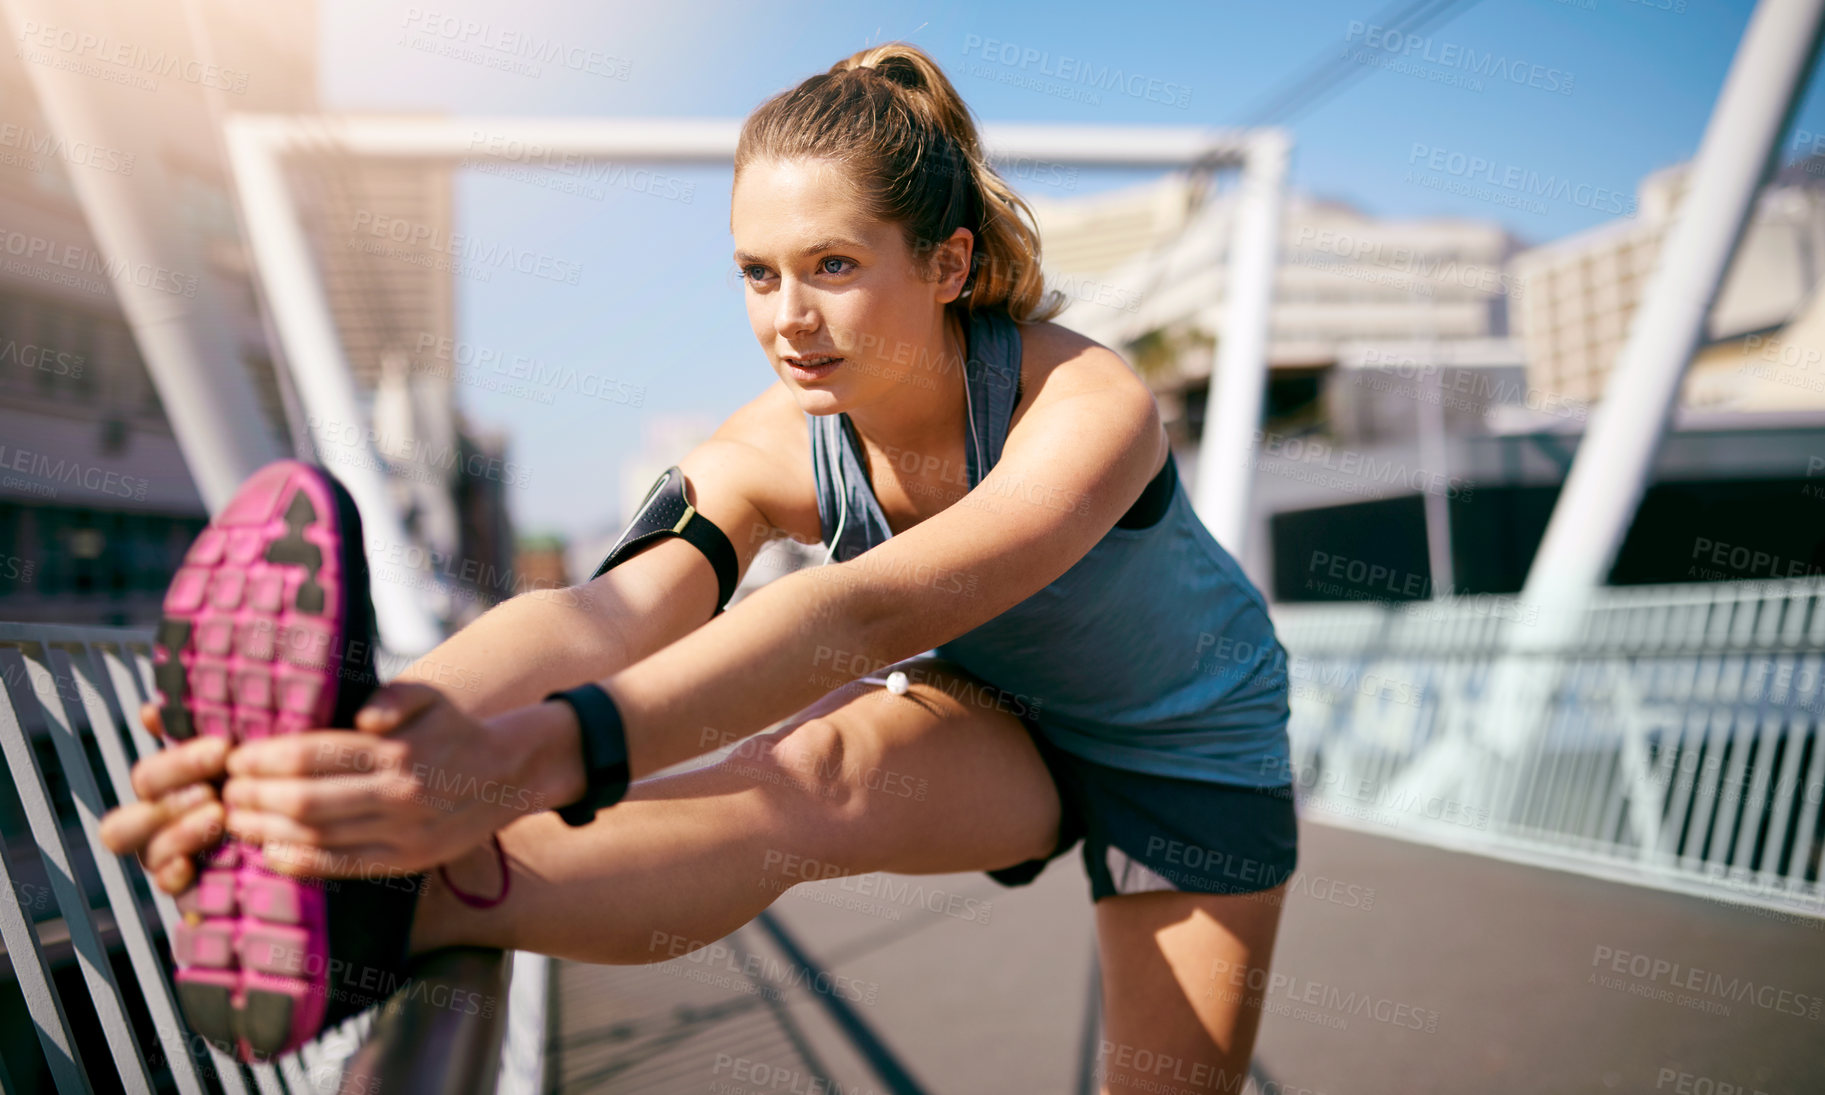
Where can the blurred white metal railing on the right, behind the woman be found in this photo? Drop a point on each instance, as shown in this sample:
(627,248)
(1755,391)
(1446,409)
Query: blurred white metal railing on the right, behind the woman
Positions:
(1674,742)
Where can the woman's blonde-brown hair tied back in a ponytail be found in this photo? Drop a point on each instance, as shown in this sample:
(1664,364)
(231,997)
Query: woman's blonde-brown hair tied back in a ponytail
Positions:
(893,120)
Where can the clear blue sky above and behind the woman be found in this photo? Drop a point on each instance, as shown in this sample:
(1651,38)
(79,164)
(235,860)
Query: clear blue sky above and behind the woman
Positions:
(1622,89)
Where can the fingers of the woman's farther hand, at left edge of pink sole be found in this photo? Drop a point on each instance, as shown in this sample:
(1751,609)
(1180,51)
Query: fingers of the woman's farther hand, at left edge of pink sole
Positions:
(178,815)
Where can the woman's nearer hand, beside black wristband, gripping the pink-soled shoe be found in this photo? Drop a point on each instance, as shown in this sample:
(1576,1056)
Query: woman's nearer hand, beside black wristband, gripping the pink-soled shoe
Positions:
(413,786)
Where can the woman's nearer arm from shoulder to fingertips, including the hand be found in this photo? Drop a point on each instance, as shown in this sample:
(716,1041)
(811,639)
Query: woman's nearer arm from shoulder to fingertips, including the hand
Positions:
(1072,466)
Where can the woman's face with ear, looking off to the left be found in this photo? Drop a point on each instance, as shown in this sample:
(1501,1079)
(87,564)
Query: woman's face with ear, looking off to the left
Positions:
(837,298)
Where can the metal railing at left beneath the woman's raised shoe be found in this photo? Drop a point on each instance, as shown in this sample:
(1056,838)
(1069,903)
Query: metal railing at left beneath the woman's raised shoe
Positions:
(70,733)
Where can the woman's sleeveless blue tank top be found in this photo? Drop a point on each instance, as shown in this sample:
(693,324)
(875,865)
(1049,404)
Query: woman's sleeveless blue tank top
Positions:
(1152,654)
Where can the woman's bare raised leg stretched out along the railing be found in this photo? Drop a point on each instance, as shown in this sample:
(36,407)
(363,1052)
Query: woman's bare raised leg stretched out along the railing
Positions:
(921,784)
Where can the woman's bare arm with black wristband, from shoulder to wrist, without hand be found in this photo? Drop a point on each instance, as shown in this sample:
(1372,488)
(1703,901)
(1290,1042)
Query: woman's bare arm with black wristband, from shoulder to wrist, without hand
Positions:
(1070,468)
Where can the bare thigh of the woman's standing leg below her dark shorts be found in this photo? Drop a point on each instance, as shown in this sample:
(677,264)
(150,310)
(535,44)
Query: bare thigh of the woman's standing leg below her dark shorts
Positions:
(1184,983)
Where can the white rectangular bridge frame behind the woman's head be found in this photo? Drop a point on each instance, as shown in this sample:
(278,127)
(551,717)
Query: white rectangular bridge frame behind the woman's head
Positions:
(262,145)
